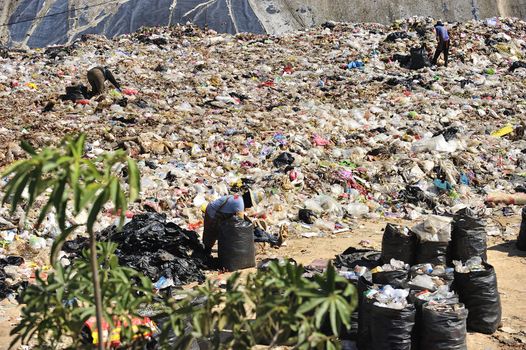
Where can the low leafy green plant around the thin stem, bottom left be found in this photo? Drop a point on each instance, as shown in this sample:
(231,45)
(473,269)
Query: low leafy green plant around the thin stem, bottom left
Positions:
(56,307)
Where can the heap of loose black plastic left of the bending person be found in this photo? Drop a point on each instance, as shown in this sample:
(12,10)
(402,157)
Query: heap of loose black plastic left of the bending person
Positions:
(163,251)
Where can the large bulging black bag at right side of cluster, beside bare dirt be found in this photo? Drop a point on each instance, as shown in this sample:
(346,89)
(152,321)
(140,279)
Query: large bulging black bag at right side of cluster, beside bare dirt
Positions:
(478,290)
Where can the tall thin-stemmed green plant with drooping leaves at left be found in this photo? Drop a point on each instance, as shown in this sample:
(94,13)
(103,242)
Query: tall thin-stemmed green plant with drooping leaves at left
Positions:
(71,181)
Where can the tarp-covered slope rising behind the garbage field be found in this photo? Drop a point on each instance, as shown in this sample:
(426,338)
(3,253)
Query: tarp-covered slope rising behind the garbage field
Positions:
(39,23)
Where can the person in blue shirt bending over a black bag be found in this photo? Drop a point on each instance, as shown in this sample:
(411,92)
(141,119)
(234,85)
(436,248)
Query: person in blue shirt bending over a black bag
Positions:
(224,208)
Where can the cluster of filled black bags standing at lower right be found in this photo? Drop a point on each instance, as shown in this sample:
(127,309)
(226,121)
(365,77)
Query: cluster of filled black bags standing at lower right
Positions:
(473,304)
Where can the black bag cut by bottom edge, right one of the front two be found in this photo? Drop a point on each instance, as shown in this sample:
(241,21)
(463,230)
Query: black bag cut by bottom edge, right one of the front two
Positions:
(441,330)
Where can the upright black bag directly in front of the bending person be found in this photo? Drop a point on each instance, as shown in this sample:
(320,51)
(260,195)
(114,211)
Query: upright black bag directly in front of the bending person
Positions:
(236,244)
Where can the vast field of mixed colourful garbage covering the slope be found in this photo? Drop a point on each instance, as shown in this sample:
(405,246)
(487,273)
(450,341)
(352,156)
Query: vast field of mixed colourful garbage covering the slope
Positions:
(325,120)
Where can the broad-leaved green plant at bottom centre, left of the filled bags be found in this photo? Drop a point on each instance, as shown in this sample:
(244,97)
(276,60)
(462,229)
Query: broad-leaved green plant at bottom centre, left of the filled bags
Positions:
(277,306)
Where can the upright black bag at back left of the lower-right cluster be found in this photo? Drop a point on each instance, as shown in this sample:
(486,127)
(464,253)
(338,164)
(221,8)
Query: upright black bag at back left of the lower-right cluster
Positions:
(396,245)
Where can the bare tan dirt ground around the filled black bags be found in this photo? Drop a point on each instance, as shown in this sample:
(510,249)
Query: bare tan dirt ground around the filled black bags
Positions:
(509,263)
